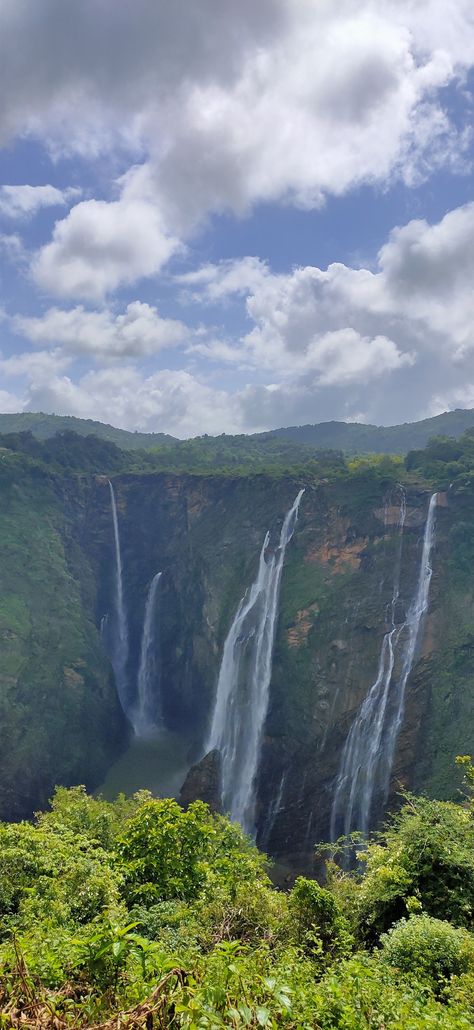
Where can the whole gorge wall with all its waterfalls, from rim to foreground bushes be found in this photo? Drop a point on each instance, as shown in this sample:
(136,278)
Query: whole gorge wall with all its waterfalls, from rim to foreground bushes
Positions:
(199,580)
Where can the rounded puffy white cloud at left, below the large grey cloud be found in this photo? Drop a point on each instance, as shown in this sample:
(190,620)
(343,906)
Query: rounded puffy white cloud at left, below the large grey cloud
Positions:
(101,247)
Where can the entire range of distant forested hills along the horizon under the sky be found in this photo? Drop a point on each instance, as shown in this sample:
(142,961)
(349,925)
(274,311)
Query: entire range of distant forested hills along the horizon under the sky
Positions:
(352,438)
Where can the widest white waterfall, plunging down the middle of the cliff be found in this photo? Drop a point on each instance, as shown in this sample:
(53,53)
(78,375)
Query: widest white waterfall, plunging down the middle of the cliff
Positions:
(244,685)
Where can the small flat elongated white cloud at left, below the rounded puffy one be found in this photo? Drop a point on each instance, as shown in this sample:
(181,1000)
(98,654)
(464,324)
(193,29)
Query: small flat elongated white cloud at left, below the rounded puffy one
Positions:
(140,331)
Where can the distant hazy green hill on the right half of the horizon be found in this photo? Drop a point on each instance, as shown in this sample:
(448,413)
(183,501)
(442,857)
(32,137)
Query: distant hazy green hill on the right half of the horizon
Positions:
(353,438)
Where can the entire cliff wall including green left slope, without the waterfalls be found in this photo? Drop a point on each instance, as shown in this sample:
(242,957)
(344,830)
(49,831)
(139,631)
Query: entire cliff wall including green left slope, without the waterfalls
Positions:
(205,534)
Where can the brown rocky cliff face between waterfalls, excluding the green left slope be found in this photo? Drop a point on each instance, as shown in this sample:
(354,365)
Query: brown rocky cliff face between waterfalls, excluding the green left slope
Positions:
(206,534)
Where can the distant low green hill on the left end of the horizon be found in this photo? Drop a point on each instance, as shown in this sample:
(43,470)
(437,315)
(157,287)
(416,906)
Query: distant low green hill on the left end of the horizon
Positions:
(43,427)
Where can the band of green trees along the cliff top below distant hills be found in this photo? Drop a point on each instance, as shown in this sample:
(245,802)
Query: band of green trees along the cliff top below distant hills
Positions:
(444,464)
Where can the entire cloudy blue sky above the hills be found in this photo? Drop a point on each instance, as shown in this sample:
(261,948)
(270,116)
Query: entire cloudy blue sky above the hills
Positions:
(231,218)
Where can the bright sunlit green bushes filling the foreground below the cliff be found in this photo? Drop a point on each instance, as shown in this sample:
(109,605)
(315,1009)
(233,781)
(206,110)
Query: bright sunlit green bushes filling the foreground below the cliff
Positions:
(140,914)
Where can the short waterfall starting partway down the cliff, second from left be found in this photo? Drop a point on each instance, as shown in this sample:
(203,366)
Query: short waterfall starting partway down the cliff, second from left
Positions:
(147,713)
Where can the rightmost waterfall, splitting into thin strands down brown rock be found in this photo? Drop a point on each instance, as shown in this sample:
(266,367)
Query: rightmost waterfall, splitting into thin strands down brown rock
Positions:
(369,751)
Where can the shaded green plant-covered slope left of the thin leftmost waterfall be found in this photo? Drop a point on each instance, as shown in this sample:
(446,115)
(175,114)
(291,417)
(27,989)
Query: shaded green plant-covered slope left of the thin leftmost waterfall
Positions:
(59,715)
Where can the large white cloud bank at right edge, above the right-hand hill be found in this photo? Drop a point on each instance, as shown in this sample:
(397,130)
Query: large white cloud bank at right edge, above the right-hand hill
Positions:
(347,322)
